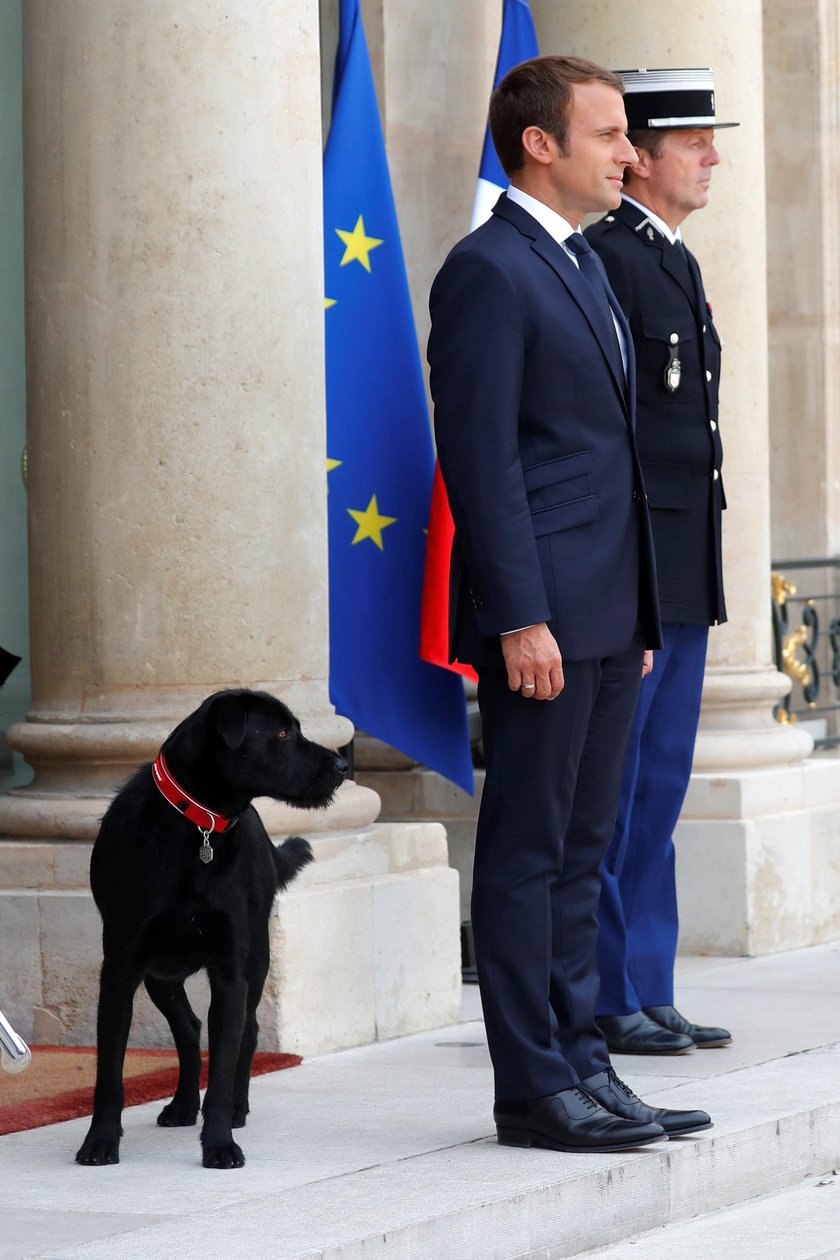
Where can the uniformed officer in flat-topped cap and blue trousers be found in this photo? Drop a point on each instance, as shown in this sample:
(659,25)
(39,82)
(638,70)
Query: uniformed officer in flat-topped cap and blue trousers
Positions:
(658,283)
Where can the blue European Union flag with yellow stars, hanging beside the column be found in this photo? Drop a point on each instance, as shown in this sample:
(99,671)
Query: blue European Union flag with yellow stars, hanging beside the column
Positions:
(380,444)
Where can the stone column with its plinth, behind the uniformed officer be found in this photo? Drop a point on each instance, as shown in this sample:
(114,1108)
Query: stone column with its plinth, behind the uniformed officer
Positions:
(752,844)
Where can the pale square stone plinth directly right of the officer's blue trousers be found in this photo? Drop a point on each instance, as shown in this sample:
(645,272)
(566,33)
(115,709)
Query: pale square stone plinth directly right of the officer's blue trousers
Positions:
(759,860)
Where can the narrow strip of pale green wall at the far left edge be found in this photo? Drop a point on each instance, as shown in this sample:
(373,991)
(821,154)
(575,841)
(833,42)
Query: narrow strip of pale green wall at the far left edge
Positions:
(14,634)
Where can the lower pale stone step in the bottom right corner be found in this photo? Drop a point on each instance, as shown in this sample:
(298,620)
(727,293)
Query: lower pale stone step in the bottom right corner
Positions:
(802,1224)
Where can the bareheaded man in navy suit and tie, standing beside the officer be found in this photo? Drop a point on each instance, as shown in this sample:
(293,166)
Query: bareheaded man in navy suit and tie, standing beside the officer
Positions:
(553,593)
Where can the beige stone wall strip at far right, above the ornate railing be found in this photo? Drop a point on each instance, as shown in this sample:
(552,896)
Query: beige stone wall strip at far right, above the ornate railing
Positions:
(802,49)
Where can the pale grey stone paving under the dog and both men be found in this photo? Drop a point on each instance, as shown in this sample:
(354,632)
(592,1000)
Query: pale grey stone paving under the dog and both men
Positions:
(387,1154)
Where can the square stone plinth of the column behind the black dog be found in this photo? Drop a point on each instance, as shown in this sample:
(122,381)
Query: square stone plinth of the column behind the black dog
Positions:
(365,944)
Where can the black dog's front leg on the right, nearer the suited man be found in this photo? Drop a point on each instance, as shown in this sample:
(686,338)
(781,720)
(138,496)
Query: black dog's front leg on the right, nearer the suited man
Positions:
(226,1021)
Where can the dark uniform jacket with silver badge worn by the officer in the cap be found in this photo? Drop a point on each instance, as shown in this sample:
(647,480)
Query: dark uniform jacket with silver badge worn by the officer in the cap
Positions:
(661,290)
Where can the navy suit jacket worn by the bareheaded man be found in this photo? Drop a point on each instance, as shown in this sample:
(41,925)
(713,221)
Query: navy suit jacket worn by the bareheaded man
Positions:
(537,449)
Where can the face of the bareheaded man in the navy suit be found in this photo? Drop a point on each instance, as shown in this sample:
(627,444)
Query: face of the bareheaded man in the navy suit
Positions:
(589,177)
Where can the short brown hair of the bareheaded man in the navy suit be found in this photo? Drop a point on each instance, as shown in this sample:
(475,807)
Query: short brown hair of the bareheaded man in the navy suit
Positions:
(538,94)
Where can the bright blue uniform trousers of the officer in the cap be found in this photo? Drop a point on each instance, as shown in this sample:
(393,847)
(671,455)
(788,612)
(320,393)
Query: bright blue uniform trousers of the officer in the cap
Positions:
(638,918)
